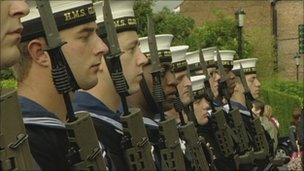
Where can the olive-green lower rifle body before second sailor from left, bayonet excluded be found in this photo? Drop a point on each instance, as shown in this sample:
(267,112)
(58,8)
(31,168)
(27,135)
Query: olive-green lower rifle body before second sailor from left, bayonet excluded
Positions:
(82,135)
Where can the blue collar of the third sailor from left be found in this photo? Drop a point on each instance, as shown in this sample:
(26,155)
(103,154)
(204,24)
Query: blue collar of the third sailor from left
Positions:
(86,102)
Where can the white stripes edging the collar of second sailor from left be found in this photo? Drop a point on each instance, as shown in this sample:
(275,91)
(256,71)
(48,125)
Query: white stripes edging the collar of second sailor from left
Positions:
(44,121)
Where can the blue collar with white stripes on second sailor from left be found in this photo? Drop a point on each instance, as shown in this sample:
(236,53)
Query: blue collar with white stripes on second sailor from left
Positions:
(34,114)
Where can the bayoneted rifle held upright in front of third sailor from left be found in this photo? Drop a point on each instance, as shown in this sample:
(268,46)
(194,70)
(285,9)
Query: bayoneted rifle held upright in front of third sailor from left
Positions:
(135,139)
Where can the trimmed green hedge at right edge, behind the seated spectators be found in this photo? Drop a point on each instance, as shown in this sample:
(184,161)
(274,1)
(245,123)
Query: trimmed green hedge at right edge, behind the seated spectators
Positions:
(283,96)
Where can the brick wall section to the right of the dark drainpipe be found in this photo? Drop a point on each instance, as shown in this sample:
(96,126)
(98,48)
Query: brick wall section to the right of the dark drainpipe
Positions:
(290,15)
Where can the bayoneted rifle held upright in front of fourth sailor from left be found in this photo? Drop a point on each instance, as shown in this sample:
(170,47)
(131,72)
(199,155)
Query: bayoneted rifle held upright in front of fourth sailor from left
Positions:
(171,152)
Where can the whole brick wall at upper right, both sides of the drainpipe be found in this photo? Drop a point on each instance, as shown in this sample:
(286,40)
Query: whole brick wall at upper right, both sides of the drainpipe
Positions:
(258,29)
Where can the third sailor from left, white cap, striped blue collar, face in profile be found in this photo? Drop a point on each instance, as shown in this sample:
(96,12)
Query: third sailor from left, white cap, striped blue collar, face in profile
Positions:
(102,101)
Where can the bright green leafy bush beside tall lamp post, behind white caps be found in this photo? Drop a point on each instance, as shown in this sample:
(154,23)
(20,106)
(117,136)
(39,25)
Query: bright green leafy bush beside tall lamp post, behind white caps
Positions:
(220,32)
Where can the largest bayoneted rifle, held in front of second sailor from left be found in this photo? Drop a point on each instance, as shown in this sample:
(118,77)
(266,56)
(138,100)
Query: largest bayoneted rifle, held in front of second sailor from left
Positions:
(84,152)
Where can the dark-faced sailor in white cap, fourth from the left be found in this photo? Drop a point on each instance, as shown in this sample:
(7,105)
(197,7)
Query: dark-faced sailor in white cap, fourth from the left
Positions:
(144,99)
